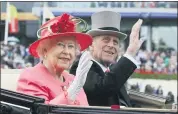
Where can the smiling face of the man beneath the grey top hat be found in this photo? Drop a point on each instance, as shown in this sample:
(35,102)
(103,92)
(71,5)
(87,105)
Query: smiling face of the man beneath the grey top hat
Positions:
(105,49)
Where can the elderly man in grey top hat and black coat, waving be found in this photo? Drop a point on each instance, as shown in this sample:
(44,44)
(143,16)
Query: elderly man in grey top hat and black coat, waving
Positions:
(104,85)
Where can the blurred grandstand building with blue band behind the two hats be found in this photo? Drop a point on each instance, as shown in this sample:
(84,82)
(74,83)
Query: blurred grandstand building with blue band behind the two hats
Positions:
(160,19)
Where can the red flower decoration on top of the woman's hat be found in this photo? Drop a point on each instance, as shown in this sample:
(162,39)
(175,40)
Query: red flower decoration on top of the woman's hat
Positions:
(64,24)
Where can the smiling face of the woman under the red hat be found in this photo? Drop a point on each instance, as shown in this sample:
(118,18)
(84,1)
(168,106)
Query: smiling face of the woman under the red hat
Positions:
(62,53)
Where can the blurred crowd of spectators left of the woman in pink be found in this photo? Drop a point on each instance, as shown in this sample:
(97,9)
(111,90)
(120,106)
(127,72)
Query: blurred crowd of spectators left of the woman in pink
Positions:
(15,56)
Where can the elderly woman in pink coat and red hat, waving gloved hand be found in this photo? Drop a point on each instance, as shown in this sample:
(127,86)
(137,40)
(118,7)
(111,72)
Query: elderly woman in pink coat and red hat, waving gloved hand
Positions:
(57,48)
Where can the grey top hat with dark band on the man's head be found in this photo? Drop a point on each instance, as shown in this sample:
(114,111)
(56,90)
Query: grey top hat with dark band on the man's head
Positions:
(106,23)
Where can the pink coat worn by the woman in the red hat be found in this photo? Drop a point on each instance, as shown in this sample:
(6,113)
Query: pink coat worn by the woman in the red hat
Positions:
(37,81)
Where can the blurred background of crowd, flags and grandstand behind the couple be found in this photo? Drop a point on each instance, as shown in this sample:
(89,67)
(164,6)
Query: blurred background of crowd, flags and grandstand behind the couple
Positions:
(158,55)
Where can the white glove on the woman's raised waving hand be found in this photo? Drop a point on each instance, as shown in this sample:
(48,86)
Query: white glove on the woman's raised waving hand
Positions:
(84,66)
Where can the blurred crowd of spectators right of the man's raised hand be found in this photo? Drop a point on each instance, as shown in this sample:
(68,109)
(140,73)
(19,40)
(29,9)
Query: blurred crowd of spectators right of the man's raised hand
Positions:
(158,61)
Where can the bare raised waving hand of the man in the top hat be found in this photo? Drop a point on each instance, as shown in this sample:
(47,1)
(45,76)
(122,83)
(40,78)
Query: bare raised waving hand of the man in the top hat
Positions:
(135,43)
